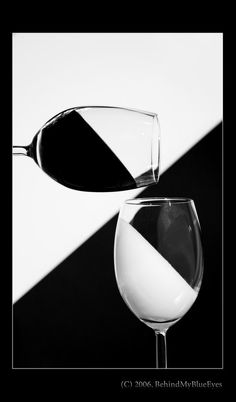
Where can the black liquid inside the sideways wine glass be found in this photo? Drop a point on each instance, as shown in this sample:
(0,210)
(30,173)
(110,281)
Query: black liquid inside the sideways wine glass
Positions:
(73,154)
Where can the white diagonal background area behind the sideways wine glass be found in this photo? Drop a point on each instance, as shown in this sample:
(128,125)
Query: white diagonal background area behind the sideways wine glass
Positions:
(176,75)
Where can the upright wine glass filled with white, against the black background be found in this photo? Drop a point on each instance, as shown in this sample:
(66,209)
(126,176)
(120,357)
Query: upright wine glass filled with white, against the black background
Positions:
(158,262)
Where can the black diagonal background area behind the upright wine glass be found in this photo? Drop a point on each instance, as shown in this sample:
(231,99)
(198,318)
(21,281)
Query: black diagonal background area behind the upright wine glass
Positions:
(76,318)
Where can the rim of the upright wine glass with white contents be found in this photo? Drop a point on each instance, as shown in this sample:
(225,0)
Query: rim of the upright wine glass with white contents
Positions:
(157,201)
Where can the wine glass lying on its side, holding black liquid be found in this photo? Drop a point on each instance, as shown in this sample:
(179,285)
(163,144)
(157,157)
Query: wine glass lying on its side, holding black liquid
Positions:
(98,148)
